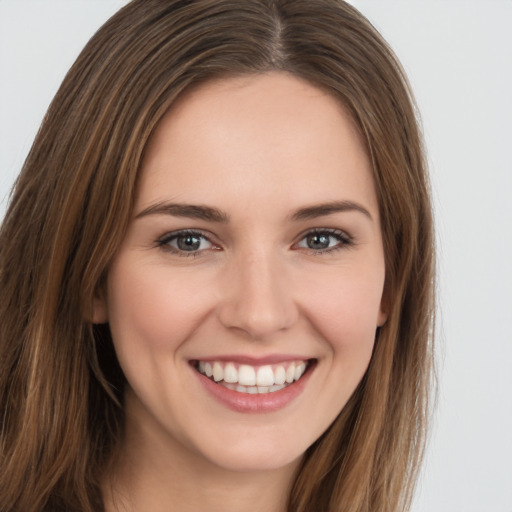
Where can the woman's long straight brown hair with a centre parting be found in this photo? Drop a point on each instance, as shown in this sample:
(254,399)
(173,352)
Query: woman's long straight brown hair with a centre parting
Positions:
(60,384)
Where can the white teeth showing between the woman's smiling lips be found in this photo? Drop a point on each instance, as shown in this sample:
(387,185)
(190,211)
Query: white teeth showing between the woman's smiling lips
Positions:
(245,378)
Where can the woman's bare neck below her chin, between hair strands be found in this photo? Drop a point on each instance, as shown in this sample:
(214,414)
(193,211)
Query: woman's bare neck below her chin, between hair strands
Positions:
(156,472)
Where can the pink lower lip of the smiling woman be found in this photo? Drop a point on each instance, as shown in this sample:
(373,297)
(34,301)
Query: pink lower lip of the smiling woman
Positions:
(257,403)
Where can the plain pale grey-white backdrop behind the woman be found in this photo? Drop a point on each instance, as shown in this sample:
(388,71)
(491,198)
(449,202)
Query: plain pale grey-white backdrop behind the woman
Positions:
(458,55)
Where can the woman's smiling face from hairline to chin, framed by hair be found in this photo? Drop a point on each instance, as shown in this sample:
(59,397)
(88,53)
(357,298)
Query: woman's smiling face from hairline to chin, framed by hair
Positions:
(244,300)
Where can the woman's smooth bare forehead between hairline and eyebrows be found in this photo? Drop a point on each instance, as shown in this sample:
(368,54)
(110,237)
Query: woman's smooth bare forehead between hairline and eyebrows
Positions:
(261,136)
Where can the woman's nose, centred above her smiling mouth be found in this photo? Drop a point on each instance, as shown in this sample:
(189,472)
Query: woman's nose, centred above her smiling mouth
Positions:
(258,297)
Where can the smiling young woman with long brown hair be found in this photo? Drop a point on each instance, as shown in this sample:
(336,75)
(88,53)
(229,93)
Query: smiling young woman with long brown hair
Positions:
(217,270)
